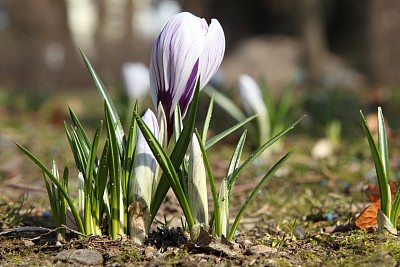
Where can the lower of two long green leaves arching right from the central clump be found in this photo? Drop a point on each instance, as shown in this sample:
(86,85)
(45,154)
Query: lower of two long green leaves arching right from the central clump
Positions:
(255,191)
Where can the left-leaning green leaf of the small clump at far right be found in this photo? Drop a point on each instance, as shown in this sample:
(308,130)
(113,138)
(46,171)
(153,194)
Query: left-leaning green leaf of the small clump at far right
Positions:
(379,168)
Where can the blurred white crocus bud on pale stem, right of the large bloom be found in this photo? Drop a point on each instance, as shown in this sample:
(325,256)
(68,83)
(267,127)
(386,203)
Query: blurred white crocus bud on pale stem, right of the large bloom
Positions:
(252,99)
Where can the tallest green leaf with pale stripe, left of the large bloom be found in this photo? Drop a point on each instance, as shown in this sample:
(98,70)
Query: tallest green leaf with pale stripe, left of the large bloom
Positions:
(116,123)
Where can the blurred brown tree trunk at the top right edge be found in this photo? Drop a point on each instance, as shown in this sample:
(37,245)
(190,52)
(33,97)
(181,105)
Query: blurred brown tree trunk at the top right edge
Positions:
(384,30)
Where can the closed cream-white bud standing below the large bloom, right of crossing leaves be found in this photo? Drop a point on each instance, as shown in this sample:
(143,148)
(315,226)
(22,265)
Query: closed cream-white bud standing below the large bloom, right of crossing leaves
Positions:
(197,183)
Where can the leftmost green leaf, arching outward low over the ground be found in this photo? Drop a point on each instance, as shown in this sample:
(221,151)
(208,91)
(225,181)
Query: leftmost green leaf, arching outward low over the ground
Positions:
(59,186)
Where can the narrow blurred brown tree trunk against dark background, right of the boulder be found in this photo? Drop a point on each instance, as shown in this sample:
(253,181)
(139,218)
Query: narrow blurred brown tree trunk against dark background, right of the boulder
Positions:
(312,27)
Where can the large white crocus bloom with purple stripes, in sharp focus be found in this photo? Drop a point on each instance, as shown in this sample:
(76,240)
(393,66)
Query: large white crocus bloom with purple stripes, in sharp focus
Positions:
(186,49)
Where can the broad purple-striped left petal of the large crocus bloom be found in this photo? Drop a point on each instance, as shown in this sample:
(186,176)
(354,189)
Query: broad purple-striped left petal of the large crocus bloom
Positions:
(174,61)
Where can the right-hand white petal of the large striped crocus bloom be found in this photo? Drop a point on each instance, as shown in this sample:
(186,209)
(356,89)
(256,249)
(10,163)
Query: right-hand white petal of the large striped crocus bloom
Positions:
(214,49)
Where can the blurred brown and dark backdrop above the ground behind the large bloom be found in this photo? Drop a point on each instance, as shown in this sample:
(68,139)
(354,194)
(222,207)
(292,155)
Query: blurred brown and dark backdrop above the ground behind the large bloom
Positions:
(322,43)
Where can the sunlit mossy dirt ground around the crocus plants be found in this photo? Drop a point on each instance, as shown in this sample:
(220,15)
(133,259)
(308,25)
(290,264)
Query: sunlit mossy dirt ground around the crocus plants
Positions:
(303,217)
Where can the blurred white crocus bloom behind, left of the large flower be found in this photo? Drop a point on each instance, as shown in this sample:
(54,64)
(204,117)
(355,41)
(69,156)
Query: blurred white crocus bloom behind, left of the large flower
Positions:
(136,79)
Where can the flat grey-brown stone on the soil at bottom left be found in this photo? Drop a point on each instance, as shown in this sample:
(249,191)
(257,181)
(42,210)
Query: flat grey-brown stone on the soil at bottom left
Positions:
(81,256)
